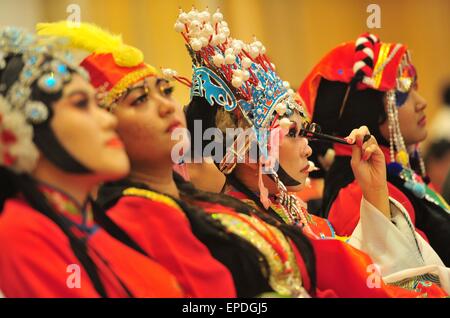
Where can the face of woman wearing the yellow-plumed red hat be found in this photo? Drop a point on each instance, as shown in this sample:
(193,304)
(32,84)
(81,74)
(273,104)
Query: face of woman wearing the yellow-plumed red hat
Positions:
(147,117)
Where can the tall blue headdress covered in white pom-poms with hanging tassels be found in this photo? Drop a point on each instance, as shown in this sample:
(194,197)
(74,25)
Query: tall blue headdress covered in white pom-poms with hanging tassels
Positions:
(239,78)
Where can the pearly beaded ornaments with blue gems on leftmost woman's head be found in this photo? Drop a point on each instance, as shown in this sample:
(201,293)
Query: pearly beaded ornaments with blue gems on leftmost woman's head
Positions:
(44,64)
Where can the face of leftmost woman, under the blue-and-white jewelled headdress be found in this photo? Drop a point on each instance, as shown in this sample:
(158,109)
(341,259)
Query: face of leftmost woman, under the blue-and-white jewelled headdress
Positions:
(87,132)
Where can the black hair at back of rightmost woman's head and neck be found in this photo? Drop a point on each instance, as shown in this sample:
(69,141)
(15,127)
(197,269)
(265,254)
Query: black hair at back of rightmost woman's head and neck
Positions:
(362,107)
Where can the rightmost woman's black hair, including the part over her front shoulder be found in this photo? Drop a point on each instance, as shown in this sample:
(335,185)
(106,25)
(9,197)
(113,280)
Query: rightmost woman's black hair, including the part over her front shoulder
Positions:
(367,108)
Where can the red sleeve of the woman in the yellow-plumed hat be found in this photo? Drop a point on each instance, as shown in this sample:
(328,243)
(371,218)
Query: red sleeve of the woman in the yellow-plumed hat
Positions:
(165,234)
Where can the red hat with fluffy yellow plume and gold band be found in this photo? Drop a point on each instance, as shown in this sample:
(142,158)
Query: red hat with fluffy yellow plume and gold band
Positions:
(113,65)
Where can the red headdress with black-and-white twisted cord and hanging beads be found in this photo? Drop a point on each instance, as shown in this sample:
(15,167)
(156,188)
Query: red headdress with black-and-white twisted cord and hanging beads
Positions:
(370,63)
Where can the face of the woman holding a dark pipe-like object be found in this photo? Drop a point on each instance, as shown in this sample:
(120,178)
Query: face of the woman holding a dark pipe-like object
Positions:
(294,153)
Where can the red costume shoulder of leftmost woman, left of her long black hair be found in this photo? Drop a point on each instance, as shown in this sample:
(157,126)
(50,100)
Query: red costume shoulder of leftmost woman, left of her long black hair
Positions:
(36,258)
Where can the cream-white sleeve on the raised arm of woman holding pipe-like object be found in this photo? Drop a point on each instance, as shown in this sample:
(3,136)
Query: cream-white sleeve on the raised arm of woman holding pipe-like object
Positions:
(395,247)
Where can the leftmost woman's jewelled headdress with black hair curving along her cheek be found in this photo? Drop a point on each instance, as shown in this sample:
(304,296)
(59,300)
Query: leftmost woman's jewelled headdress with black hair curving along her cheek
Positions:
(29,64)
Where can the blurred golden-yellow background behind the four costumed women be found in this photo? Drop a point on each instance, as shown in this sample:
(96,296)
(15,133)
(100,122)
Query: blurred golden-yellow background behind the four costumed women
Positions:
(297,33)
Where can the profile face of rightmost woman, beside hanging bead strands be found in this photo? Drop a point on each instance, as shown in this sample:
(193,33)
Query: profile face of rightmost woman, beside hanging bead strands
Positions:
(412,119)
